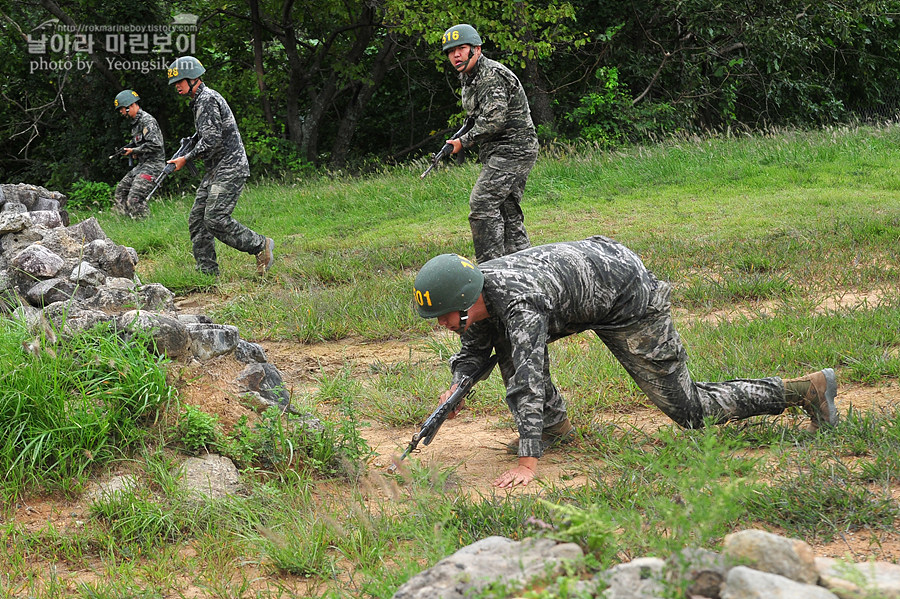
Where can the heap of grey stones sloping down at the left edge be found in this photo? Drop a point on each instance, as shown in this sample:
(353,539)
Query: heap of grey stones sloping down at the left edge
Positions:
(61,278)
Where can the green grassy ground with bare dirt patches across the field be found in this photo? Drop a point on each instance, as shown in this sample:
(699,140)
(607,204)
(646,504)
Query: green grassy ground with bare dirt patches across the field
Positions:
(757,234)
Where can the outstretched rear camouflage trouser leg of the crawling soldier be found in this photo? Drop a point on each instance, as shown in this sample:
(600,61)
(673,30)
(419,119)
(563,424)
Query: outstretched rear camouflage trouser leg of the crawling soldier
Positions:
(652,353)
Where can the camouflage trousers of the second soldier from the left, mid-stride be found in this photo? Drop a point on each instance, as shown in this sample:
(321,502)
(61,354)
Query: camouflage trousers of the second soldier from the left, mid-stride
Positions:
(210,219)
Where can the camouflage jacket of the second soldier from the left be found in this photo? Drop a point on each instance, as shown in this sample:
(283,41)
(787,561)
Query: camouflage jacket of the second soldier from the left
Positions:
(220,146)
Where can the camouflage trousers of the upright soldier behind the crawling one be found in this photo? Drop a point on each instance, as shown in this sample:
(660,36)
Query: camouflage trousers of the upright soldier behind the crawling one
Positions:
(495,214)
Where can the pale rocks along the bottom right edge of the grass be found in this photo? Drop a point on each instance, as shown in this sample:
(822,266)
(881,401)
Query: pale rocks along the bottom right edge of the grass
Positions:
(753,564)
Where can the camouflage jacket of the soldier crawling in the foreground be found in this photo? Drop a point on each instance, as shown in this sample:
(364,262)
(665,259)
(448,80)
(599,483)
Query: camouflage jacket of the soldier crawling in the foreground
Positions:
(539,295)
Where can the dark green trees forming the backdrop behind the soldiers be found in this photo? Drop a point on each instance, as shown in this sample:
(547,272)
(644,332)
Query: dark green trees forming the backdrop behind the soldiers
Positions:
(322,83)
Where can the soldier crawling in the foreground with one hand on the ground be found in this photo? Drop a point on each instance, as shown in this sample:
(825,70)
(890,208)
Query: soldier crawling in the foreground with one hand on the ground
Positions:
(519,303)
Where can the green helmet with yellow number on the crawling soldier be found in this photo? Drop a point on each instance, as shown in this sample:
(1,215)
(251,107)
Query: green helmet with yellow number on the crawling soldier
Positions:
(447,283)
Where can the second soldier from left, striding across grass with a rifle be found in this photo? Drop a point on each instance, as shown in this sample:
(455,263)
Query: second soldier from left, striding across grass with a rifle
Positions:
(222,151)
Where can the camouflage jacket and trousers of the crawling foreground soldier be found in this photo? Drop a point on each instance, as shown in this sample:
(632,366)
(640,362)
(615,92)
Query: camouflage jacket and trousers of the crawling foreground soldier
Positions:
(551,291)
